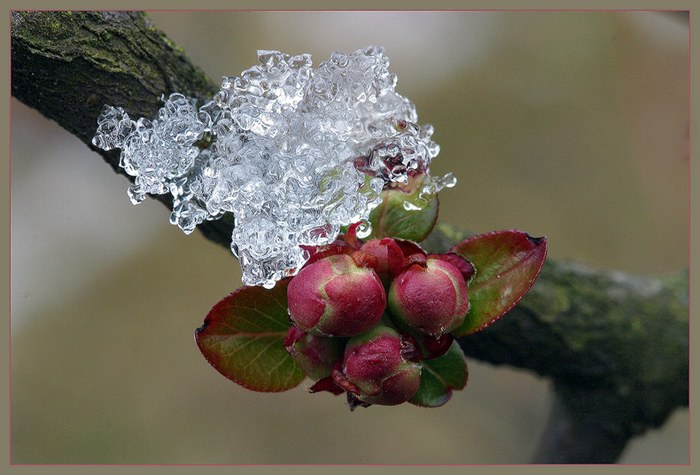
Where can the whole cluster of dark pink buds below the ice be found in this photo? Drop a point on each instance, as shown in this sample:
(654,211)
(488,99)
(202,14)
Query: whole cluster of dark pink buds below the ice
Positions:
(365,315)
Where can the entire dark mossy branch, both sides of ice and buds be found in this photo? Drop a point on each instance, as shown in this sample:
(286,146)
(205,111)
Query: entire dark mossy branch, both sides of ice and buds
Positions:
(614,345)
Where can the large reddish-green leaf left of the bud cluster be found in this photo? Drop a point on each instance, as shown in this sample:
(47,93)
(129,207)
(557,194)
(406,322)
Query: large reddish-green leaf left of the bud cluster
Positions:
(243,338)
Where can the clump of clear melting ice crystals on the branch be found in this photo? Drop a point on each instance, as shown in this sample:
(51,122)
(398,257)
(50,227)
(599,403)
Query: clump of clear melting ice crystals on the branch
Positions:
(294,152)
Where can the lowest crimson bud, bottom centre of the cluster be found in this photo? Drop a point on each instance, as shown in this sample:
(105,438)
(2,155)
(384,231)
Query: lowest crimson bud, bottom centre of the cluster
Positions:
(375,370)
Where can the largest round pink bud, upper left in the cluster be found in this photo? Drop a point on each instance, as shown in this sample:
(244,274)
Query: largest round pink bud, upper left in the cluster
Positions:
(336,297)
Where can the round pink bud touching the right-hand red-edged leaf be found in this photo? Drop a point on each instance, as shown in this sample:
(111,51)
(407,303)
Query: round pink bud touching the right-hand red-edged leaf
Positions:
(431,297)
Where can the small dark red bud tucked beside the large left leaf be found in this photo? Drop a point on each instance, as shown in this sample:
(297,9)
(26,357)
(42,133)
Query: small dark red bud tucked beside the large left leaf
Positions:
(315,355)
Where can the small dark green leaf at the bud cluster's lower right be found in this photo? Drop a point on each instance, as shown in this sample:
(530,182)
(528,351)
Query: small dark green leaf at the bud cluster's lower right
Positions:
(440,376)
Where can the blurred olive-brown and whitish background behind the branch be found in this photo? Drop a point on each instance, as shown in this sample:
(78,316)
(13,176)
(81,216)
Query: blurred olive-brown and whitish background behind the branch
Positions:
(569,124)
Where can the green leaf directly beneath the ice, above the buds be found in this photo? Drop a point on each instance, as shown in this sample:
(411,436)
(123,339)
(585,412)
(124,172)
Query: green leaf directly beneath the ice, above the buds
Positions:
(392,219)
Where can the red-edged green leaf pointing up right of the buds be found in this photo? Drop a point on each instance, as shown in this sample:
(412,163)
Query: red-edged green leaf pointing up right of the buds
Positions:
(507,264)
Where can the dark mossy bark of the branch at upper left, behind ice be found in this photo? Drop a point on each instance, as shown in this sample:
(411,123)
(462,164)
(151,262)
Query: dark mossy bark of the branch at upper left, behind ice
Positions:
(68,65)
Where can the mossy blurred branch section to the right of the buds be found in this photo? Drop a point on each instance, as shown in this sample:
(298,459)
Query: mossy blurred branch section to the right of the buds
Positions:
(615,346)
